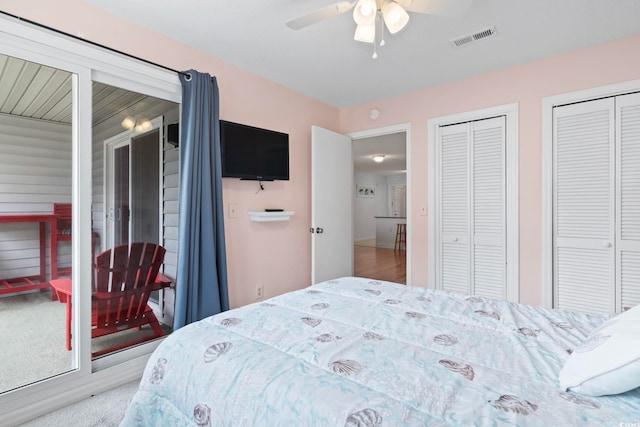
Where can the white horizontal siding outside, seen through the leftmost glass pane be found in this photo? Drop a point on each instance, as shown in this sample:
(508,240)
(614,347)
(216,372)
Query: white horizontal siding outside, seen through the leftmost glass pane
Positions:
(35,173)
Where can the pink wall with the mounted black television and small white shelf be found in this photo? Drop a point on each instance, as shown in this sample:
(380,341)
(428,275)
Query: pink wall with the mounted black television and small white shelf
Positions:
(275,255)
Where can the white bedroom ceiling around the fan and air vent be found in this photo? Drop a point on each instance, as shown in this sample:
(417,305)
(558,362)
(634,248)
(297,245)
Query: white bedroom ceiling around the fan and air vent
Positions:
(324,62)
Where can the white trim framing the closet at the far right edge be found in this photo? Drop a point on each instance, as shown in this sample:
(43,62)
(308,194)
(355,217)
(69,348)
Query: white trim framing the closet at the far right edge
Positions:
(548,104)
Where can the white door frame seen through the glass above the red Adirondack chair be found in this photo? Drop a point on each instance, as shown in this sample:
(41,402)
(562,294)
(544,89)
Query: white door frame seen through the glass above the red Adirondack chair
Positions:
(110,145)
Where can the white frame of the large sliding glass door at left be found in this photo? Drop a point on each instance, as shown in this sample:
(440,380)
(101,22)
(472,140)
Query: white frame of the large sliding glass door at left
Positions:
(86,63)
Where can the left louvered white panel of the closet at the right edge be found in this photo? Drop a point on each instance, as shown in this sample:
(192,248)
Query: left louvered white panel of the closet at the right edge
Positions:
(584,190)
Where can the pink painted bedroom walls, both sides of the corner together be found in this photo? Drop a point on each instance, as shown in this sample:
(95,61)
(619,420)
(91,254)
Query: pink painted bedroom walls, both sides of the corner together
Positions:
(277,255)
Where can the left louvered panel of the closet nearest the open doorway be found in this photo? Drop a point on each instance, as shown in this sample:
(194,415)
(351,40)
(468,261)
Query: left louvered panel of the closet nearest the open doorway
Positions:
(454,208)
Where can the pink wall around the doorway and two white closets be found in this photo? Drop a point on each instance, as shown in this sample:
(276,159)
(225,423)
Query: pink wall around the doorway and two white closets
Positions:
(525,84)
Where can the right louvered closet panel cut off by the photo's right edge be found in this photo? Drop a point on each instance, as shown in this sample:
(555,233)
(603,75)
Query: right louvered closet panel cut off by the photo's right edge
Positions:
(628,200)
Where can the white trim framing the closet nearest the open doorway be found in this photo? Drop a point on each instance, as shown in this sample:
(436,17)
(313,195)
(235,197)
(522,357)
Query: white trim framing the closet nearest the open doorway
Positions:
(510,111)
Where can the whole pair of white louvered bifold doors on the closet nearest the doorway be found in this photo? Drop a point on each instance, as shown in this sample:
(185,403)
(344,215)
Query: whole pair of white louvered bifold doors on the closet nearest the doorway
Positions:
(472,214)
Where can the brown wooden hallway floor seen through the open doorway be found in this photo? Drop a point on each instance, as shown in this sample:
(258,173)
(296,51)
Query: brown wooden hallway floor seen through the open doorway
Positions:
(380,263)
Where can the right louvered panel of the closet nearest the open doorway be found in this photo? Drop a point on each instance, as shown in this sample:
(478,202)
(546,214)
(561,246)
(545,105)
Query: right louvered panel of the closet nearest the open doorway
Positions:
(488,222)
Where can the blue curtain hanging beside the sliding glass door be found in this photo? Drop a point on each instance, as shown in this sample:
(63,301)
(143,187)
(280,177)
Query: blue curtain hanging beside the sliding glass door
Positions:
(201,277)
